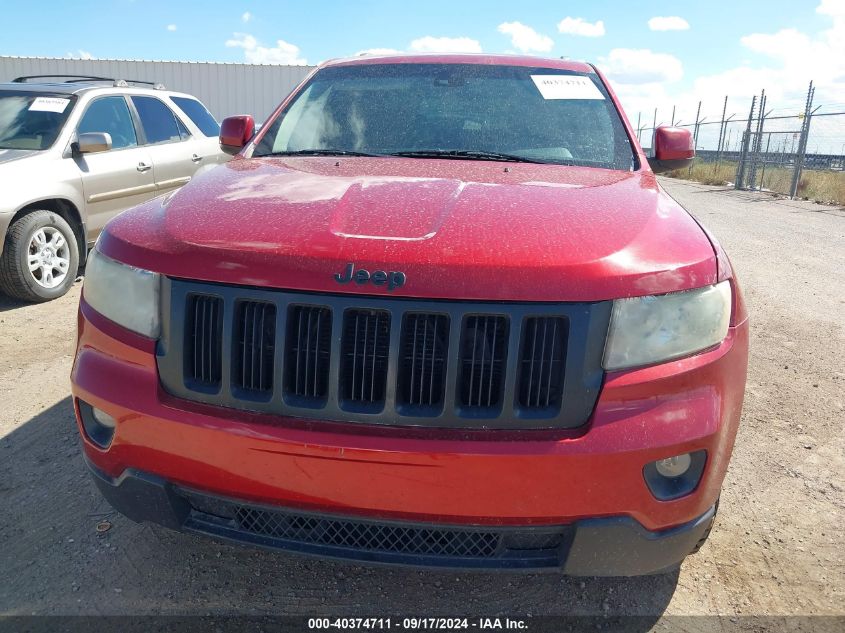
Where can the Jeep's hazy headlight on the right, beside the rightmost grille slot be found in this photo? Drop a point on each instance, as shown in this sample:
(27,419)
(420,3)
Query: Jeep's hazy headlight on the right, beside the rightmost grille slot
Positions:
(649,330)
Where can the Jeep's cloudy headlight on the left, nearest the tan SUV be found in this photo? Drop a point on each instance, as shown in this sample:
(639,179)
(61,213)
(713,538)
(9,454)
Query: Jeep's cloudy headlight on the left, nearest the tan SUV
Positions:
(124,294)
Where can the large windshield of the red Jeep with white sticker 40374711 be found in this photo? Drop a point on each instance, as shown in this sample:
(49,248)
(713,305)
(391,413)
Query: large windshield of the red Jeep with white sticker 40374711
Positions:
(474,111)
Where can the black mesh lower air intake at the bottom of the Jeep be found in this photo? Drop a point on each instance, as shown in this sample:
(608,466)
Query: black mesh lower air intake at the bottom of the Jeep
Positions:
(372,540)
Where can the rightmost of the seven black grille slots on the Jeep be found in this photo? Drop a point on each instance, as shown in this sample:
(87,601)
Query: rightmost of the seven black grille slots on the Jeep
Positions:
(541,363)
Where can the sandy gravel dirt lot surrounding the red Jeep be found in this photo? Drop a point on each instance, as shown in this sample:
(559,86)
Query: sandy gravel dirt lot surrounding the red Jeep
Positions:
(778,546)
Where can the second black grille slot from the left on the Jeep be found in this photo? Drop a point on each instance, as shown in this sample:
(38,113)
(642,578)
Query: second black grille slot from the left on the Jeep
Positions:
(255,344)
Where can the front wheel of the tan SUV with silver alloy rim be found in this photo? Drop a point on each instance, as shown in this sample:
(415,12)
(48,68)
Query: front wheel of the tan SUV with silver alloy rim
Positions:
(16,278)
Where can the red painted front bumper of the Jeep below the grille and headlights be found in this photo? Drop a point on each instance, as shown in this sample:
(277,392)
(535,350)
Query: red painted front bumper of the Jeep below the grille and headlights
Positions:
(495,480)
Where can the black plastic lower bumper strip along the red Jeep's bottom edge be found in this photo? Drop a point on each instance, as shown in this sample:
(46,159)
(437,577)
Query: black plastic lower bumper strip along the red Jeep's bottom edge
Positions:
(614,546)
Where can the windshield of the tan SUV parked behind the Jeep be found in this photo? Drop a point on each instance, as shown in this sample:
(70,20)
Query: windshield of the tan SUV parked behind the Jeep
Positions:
(32,120)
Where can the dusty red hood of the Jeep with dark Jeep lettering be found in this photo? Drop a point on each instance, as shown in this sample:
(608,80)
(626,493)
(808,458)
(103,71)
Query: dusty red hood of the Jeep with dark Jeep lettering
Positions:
(457,229)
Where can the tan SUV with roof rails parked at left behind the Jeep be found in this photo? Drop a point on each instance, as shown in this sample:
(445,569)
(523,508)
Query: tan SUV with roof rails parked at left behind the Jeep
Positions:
(77,151)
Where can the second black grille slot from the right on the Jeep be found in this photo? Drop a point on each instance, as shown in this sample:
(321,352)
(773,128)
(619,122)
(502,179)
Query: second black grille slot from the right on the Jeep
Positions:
(483,355)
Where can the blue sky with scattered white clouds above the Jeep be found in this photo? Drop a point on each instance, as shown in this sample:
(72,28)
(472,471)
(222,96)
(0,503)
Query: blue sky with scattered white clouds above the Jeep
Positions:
(709,50)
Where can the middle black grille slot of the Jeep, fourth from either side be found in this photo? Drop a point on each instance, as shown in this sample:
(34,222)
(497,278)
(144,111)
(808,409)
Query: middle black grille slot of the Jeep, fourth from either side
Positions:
(363,371)
